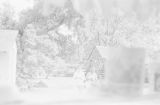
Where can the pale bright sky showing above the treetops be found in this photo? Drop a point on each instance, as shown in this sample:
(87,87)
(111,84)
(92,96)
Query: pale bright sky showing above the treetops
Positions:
(81,6)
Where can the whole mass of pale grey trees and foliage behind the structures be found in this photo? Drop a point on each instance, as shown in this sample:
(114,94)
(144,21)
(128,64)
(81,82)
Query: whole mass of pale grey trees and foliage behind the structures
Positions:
(65,37)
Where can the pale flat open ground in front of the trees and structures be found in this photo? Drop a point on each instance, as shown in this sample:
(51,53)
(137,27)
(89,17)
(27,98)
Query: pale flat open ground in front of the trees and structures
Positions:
(63,91)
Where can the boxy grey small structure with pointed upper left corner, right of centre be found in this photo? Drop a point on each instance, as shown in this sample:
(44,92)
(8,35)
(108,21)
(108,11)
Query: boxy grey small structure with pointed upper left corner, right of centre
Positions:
(123,69)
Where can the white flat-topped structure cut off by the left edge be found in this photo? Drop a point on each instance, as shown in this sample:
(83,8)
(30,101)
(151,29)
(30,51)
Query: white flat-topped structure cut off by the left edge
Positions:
(8,52)
